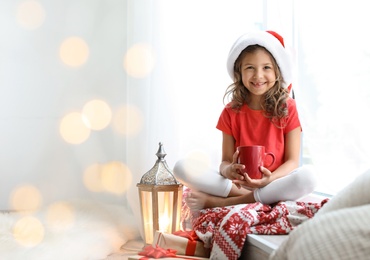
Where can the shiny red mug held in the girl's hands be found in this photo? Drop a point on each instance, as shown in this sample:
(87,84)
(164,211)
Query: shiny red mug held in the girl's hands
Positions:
(253,157)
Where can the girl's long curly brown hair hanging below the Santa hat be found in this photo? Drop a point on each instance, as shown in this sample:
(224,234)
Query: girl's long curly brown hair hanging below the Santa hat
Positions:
(274,103)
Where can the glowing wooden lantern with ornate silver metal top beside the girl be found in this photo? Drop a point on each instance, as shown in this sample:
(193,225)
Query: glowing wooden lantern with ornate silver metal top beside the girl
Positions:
(160,199)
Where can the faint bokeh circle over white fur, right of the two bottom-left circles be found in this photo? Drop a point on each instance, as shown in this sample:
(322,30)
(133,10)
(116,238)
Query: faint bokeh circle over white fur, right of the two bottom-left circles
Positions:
(60,216)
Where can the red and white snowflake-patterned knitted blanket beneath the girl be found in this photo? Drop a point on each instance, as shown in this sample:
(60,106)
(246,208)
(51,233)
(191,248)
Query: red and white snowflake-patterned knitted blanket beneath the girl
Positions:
(224,229)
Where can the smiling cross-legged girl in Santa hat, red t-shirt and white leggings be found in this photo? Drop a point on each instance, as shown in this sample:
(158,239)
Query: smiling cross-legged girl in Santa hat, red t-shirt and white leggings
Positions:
(260,112)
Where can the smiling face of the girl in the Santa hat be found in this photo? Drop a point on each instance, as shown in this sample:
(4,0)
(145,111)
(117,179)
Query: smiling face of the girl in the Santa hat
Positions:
(258,72)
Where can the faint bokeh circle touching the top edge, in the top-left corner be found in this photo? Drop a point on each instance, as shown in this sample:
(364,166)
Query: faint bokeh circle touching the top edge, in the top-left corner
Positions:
(30,14)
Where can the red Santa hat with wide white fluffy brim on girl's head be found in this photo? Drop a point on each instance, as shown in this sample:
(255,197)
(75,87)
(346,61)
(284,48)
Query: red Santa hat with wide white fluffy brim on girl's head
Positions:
(273,42)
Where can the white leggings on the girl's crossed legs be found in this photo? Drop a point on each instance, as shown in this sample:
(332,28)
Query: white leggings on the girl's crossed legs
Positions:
(195,175)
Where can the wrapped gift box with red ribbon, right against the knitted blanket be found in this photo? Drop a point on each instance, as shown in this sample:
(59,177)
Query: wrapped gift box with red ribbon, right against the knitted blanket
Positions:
(183,242)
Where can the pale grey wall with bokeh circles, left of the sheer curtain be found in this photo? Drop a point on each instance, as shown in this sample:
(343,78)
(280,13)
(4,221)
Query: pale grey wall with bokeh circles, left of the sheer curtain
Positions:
(58,60)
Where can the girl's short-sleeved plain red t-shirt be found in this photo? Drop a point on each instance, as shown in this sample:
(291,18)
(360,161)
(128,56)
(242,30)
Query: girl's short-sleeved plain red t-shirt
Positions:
(251,127)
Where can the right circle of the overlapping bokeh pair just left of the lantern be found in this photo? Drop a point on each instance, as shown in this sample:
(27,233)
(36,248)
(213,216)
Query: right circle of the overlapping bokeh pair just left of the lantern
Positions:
(116,177)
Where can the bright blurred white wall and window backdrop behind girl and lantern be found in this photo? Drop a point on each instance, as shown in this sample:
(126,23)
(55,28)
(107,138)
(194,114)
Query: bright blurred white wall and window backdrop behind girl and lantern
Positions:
(88,88)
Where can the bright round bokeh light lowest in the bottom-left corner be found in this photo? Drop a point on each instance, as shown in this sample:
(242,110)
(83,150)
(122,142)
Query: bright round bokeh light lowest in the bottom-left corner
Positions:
(28,231)
